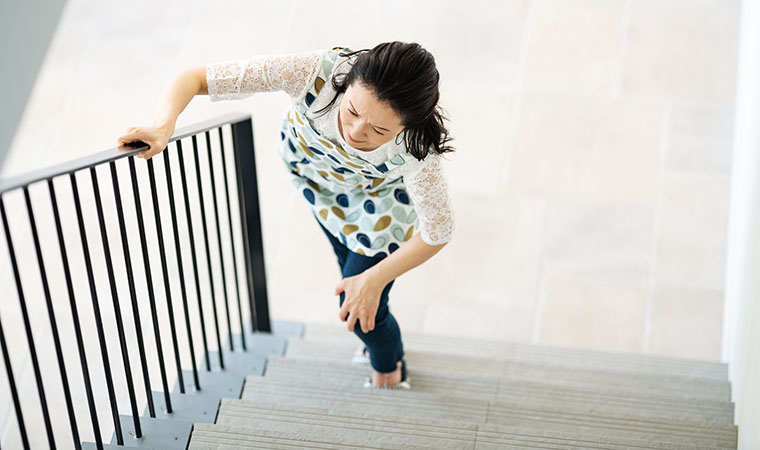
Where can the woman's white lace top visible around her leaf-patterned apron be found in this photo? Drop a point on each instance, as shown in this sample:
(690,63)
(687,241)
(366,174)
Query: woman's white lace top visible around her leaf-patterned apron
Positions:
(425,180)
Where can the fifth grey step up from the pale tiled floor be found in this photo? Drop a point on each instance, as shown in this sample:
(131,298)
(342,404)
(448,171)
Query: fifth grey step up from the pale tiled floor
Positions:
(419,432)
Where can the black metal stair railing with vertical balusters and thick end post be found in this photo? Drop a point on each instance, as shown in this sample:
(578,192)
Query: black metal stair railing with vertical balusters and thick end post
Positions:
(254,283)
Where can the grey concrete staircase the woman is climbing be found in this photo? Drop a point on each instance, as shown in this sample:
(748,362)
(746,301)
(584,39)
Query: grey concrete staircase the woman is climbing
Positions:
(475,394)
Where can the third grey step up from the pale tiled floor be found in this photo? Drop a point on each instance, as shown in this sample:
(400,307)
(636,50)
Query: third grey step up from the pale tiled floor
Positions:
(317,372)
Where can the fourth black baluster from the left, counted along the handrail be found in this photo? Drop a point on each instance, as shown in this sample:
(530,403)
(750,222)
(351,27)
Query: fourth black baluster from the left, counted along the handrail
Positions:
(96,311)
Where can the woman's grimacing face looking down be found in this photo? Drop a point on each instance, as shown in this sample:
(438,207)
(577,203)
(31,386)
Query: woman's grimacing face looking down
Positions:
(365,122)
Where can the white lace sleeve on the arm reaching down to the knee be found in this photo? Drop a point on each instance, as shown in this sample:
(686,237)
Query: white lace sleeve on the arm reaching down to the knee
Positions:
(428,189)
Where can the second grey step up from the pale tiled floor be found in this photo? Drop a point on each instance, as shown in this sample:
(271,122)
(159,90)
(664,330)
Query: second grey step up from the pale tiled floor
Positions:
(600,380)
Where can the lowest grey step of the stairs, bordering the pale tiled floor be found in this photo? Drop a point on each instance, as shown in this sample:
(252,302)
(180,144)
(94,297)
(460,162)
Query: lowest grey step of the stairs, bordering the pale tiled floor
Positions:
(538,354)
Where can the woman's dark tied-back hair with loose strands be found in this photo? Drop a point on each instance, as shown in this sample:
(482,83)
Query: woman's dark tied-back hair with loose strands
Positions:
(404,76)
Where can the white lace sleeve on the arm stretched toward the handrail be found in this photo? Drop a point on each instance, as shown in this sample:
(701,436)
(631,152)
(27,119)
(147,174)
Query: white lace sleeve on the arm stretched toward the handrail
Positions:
(238,79)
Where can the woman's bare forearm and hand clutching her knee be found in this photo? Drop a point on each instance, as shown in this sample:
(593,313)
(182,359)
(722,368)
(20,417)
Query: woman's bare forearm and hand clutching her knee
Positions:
(363,291)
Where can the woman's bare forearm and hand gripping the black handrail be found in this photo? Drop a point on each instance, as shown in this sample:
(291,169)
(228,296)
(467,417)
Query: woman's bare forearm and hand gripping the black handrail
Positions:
(179,91)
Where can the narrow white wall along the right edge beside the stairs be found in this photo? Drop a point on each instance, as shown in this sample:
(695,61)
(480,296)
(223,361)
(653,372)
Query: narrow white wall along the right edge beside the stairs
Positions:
(741,339)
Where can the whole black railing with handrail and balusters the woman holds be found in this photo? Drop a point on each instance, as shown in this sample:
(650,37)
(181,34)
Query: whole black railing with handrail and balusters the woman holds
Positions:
(242,168)
